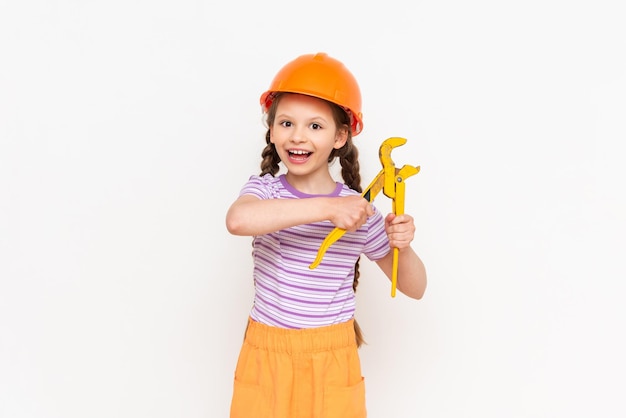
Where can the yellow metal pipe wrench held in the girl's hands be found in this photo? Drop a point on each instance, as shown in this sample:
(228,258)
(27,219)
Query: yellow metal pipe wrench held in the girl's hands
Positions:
(391,181)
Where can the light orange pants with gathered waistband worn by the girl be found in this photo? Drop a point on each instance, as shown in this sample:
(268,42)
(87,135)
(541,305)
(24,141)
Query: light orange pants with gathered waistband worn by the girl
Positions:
(305,373)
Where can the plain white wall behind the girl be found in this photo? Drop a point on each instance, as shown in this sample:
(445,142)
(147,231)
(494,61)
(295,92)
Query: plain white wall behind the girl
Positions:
(128,127)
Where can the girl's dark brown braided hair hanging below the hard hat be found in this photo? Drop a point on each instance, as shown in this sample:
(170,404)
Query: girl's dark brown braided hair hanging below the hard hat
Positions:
(348,159)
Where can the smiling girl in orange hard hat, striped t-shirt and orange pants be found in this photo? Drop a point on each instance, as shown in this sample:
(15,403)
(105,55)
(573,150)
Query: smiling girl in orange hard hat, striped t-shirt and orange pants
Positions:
(299,358)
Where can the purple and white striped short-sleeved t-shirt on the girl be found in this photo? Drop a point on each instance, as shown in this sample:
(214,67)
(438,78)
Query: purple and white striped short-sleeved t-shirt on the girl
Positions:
(287,293)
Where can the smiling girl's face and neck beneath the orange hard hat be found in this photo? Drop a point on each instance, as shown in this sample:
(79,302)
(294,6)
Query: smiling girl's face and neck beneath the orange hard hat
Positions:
(304,134)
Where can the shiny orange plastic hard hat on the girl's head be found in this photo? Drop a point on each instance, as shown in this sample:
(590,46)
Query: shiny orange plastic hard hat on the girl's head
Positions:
(320,76)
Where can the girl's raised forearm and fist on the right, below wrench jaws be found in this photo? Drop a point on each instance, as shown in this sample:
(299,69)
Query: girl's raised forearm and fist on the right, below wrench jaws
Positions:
(411,271)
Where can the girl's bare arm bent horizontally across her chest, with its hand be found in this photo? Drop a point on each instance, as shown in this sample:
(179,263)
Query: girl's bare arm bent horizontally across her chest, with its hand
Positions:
(249,215)
